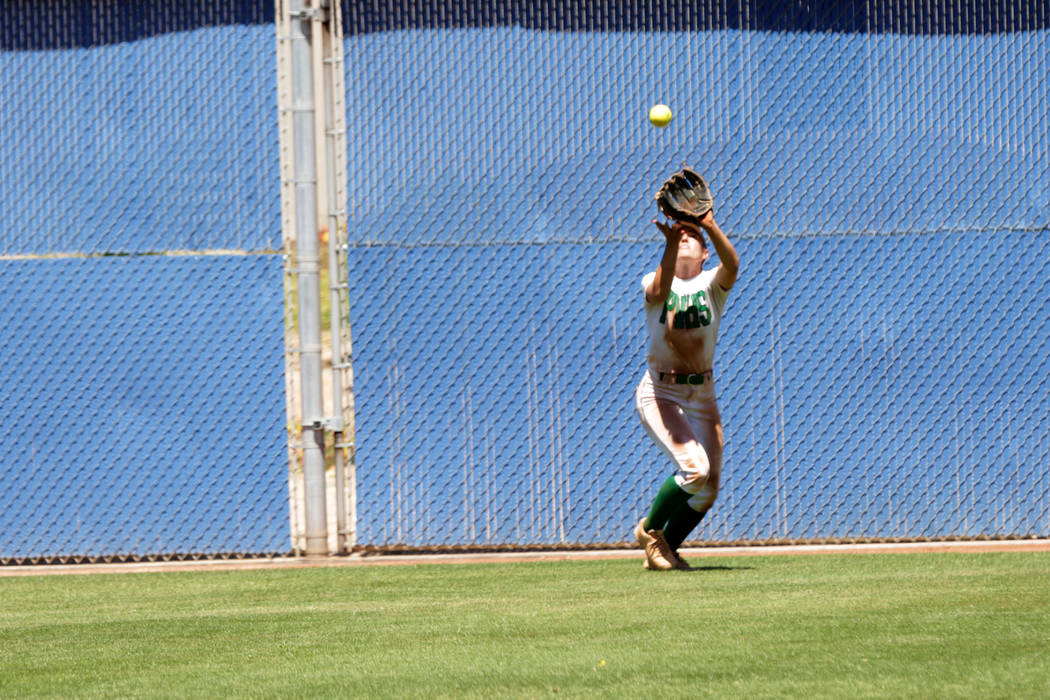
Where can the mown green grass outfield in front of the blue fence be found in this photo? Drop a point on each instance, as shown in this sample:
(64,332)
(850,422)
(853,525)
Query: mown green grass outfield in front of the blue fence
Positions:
(838,626)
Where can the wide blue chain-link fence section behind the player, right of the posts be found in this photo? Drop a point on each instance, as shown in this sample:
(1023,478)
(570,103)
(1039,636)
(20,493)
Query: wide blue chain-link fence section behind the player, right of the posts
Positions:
(885,172)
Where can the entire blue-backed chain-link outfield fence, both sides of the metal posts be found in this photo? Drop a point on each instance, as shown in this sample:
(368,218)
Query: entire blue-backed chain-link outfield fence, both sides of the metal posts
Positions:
(883,168)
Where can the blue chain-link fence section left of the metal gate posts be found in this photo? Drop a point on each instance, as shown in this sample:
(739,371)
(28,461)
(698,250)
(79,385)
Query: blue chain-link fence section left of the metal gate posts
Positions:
(141,326)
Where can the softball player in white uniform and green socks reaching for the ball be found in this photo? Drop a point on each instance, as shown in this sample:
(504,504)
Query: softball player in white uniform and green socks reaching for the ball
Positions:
(676,399)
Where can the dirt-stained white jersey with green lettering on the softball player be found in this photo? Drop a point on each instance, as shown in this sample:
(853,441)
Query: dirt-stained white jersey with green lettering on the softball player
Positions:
(683,332)
